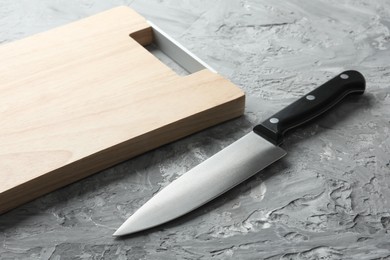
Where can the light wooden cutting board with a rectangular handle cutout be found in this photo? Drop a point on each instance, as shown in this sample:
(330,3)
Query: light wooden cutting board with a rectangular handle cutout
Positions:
(86,96)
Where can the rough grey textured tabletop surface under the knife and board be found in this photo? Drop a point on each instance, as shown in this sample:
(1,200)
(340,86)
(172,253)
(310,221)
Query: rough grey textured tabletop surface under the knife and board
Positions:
(328,199)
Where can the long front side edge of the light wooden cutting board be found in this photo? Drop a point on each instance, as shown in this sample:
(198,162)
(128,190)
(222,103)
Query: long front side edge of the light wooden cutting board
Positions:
(104,159)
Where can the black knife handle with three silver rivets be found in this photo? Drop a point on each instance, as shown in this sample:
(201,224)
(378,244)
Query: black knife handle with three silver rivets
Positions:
(311,105)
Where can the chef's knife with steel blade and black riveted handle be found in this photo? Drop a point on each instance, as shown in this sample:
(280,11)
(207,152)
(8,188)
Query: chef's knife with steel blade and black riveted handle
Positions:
(240,160)
